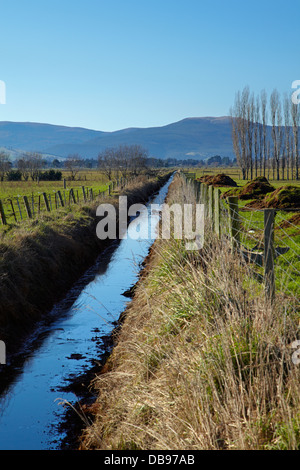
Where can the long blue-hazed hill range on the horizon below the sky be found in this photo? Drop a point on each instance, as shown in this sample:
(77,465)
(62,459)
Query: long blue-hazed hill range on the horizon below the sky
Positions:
(196,138)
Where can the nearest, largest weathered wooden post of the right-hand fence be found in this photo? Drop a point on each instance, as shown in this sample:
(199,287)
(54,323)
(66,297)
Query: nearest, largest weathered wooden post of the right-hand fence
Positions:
(269,216)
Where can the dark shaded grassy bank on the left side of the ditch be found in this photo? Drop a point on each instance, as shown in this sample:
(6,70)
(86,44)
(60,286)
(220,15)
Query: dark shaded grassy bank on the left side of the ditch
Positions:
(42,258)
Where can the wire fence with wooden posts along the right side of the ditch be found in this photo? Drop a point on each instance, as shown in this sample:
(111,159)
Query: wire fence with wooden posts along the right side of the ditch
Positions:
(268,240)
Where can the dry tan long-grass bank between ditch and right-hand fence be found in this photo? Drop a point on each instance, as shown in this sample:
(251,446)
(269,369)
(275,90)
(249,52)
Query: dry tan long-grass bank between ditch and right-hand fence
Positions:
(200,360)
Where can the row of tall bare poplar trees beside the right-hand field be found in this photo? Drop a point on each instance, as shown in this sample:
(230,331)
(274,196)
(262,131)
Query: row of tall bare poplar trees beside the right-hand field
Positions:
(265,134)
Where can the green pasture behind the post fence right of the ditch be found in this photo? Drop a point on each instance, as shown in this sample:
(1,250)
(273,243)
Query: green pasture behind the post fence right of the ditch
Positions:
(251,219)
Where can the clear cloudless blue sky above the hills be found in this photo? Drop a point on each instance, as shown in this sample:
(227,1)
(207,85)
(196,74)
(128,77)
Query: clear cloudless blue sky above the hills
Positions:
(112,64)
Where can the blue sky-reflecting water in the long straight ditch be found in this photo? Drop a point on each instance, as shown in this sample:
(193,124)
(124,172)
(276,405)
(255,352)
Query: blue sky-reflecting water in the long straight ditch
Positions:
(68,343)
